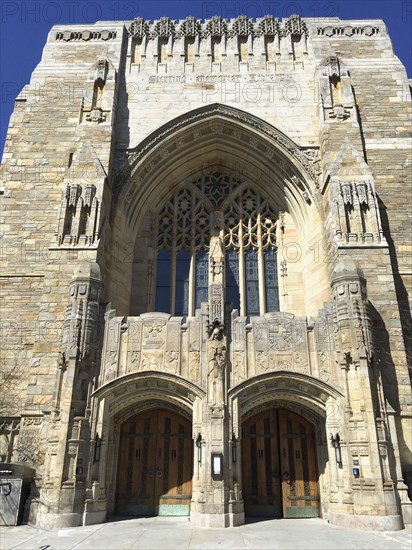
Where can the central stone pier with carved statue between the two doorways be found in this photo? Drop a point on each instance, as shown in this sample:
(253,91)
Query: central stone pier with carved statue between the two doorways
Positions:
(213,508)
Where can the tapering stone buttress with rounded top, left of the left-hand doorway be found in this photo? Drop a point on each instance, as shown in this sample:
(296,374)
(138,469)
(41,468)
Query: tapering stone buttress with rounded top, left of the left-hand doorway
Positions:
(64,487)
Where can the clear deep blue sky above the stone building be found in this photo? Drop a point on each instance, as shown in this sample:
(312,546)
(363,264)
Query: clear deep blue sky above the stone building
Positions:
(24,26)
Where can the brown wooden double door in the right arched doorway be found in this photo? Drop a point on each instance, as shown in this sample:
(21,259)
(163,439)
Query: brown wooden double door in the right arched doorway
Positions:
(279,465)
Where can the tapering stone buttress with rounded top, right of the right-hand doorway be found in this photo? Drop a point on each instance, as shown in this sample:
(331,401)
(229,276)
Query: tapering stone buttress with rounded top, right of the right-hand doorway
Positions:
(370,498)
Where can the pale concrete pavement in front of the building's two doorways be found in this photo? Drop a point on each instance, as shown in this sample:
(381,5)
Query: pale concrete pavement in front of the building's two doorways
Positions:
(176,533)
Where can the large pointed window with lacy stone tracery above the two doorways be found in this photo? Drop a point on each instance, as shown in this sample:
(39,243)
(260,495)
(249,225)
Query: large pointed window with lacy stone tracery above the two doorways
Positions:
(183,229)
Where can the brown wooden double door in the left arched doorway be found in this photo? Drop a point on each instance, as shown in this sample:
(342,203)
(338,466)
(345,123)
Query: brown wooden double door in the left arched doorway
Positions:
(155,465)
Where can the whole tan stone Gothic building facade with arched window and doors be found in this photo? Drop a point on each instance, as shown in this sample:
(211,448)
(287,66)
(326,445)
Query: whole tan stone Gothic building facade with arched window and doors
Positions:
(205,272)
